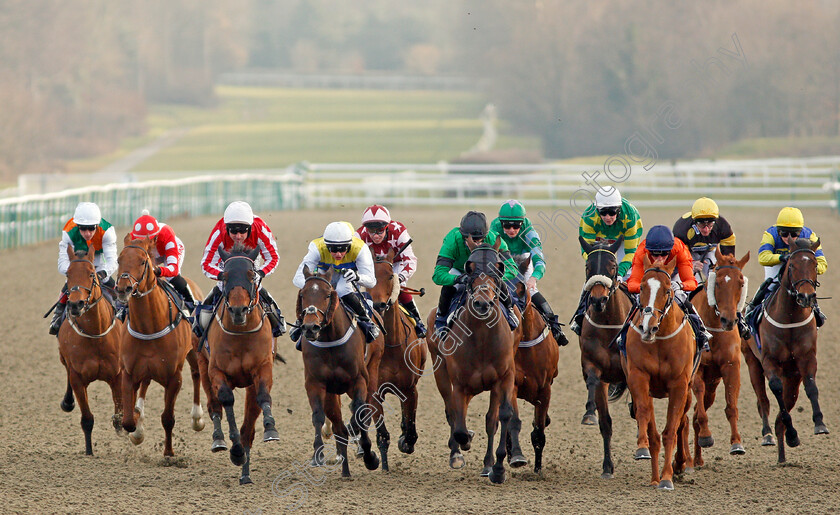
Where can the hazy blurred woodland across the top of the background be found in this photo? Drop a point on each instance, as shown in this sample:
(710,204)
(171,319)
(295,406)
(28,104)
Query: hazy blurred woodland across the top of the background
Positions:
(584,76)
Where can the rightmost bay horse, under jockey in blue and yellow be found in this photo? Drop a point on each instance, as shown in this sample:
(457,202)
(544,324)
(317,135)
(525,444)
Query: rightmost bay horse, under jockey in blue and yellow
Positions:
(788,337)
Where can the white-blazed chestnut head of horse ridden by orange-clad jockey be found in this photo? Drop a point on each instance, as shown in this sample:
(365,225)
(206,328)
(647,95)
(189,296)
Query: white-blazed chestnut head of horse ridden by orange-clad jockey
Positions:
(655,296)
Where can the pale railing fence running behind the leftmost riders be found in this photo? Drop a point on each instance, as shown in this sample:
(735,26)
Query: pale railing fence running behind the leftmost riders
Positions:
(36,218)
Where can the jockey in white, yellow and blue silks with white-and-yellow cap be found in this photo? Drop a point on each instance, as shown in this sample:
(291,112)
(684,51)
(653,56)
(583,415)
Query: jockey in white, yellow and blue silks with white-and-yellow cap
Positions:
(351,262)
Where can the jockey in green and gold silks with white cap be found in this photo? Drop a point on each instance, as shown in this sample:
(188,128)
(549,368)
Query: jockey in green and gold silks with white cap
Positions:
(608,218)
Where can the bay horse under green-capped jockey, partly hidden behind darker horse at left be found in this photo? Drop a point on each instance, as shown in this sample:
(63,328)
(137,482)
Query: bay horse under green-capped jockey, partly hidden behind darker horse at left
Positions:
(536,367)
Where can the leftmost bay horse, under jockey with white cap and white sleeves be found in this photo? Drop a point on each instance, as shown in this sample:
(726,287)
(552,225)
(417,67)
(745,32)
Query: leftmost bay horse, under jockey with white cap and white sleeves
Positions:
(89,342)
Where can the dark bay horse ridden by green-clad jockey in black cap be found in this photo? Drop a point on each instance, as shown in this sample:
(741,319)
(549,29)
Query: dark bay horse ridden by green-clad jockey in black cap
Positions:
(477,355)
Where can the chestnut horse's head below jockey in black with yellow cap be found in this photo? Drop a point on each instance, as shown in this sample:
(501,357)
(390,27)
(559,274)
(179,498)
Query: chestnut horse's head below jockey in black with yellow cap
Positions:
(726,288)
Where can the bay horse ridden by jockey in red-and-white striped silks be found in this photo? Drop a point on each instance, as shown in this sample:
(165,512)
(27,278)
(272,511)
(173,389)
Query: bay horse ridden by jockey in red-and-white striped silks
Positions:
(239,354)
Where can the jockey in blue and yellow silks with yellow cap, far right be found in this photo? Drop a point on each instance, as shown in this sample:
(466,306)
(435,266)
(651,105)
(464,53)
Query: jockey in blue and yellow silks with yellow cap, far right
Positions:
(773,252)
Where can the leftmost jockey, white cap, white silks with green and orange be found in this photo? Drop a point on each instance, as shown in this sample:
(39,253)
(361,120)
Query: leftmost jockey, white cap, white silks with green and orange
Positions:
(86,228)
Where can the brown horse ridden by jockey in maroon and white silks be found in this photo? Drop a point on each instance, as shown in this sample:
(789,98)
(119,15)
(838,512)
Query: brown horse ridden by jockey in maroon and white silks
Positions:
(403,360)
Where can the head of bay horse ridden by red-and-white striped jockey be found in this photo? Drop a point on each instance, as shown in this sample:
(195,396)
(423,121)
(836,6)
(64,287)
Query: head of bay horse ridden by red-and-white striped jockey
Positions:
(240,281)
